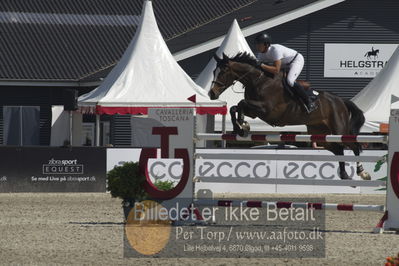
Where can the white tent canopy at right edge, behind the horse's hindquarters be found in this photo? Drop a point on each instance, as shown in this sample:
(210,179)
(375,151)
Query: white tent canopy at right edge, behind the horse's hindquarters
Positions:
(375,99)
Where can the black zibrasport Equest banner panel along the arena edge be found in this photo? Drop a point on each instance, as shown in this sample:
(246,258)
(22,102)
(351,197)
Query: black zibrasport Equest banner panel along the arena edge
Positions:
(48,169)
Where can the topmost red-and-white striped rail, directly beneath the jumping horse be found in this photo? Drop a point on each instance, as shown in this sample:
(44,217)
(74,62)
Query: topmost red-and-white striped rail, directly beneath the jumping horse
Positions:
(295,138)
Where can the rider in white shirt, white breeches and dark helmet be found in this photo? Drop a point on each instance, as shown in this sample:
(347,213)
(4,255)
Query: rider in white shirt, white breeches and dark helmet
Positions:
(283,57)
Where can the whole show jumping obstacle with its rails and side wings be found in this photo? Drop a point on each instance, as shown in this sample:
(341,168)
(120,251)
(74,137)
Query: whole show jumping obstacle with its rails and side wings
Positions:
(390,219)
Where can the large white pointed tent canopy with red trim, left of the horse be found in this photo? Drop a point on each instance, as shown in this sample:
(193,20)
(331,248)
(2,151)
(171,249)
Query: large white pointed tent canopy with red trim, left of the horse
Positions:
(146,76)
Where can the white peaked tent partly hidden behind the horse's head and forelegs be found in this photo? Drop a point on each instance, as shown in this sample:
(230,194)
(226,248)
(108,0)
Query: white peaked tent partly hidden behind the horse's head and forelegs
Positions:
(234,43)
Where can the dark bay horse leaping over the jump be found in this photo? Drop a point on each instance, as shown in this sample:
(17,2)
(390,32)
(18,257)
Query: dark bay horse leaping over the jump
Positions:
(266,98)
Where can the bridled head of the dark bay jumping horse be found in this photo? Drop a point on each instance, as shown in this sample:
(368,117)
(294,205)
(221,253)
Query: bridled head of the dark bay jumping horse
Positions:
(224,76)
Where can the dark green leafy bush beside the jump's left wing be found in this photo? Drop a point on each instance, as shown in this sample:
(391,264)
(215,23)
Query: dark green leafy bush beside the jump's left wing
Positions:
(127,183)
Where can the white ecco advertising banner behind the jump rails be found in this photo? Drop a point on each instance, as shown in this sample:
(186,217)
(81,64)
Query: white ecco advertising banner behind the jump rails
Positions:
(259,169)
